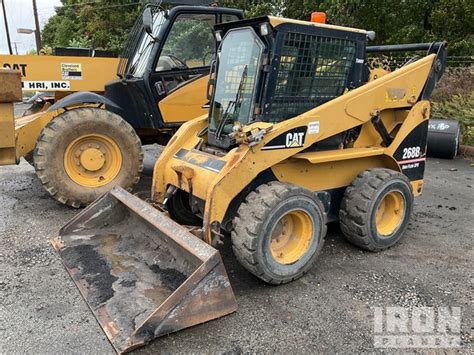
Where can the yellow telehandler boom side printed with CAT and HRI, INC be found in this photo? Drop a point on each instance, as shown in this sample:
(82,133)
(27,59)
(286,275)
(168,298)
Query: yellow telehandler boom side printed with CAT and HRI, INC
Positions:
(58,73)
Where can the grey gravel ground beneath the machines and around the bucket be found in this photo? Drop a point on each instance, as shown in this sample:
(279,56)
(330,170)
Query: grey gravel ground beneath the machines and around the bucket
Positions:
(330,309)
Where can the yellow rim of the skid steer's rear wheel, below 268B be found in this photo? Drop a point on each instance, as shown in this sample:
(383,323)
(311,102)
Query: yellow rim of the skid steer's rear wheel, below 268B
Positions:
(390,213)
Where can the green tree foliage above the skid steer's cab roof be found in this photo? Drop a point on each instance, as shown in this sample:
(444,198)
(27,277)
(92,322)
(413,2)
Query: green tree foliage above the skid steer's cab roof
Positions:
(394,21)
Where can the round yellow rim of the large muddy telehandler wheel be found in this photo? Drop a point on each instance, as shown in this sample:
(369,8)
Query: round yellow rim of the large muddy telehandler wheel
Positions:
(92,160)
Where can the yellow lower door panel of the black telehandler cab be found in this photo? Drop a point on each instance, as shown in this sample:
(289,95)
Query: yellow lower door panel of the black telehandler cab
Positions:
(186,102)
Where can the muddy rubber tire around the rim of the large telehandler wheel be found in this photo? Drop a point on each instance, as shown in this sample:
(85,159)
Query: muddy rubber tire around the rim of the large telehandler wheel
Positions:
(62,130)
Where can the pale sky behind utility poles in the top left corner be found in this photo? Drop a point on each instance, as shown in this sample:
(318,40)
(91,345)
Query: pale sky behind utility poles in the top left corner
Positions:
(20,15)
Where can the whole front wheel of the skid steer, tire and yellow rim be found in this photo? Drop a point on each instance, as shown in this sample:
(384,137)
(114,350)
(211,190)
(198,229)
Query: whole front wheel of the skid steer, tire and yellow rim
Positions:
(278,232)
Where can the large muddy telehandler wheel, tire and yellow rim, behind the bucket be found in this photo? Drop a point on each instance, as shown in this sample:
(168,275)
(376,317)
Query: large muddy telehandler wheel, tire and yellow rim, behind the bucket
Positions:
(85,152)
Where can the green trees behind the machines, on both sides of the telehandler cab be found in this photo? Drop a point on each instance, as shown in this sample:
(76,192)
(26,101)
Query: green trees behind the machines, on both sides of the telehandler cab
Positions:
(105,23)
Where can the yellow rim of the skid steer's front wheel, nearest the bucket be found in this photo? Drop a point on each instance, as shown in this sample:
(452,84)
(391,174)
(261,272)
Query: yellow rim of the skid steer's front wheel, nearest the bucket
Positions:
(291,237)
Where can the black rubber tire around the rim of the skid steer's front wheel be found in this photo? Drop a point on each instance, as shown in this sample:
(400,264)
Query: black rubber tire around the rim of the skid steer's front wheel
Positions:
(255,220)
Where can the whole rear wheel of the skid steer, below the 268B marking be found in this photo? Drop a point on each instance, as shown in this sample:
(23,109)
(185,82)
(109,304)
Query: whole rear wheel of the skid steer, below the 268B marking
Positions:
(376,209)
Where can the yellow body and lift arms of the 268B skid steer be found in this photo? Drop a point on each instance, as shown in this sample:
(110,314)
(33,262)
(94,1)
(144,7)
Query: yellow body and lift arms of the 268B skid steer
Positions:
(189,169)
